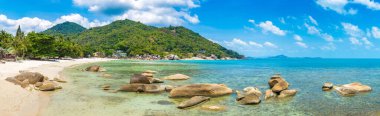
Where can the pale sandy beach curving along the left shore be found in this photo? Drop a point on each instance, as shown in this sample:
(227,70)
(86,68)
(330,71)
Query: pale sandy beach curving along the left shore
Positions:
(17,101)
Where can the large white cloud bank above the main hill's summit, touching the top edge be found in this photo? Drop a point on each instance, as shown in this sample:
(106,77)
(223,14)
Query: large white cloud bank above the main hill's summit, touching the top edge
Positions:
(156,12)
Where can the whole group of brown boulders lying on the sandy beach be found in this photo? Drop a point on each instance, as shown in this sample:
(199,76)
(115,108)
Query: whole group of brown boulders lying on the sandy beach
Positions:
(41,82)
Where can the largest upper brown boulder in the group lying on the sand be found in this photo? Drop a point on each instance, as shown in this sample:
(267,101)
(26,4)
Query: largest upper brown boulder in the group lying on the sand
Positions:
(33,77)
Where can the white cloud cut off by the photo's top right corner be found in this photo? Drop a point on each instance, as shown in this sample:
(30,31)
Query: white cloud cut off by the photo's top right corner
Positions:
(339,6)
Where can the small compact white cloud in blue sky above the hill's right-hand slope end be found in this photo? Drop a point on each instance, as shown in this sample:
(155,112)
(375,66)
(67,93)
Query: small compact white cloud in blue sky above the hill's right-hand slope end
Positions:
(268,26)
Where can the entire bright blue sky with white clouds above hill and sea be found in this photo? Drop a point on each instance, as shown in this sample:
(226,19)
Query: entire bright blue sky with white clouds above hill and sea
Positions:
(257,28)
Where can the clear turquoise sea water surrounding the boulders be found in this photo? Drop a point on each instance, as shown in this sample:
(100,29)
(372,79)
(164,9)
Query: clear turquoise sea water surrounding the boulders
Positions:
(83,95)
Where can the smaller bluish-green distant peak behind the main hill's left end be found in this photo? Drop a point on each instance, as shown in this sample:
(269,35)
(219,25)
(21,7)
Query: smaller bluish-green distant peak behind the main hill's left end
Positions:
(65,29)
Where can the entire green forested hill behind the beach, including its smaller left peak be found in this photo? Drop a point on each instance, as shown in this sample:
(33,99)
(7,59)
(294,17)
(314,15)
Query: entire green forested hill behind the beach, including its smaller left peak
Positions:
(135,38)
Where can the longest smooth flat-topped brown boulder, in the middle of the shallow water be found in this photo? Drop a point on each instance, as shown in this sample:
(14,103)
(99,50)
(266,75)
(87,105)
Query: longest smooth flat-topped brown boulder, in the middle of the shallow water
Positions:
(210,90)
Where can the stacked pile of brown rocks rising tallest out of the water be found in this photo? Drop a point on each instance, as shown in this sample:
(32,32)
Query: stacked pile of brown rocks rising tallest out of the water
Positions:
(278,88)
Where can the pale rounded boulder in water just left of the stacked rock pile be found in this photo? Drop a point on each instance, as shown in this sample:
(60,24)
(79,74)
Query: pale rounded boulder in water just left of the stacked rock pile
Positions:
(251,95)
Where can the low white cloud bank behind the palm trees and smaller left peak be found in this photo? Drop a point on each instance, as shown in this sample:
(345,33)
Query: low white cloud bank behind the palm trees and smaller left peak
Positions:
(36,24)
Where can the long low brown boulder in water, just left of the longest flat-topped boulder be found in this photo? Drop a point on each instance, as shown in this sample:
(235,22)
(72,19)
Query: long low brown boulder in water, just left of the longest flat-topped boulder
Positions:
(147,88)
